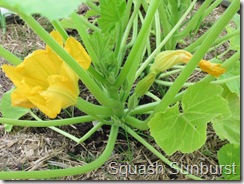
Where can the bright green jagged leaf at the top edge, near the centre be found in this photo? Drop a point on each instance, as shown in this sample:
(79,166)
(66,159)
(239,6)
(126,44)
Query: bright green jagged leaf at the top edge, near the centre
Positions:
(112,12)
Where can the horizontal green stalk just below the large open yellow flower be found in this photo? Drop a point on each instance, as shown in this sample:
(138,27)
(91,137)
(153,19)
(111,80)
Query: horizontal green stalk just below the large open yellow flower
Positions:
(60,122)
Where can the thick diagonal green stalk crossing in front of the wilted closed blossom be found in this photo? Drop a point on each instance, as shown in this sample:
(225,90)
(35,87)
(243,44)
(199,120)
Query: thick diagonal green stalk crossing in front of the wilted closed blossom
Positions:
(214,32)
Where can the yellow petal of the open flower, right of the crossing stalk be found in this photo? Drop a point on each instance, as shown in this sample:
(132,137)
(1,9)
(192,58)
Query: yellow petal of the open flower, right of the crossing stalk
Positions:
(77,51)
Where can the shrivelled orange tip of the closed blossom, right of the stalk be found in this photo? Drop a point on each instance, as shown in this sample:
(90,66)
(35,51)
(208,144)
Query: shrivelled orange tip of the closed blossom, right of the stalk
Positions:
(211,68)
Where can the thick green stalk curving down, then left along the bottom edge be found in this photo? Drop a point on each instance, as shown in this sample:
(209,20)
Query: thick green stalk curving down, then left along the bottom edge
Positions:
(70,171)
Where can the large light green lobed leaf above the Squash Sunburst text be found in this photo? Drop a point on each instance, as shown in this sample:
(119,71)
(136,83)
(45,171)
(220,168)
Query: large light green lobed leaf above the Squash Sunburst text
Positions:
(185,130)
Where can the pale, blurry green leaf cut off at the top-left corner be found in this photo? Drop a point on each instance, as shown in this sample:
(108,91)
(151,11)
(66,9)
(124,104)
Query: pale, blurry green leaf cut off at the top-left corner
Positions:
(48,8)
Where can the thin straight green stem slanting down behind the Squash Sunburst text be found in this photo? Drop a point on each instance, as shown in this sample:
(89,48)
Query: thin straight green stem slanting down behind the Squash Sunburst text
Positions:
(158,154)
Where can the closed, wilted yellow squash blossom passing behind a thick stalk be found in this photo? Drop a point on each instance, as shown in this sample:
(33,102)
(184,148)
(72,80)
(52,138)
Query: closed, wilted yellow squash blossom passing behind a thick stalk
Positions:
(168,59)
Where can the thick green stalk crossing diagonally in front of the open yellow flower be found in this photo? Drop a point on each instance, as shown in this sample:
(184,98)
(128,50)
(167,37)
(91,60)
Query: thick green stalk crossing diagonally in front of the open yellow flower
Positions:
(90,84)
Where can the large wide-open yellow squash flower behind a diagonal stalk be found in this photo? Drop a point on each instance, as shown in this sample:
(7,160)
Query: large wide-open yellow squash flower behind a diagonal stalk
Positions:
(45,81)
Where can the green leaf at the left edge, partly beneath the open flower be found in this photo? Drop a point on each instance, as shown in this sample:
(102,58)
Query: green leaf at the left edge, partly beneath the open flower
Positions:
(8,111)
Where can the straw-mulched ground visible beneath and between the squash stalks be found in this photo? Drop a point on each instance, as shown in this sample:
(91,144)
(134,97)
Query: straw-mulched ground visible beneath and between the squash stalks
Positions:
(41,148)
